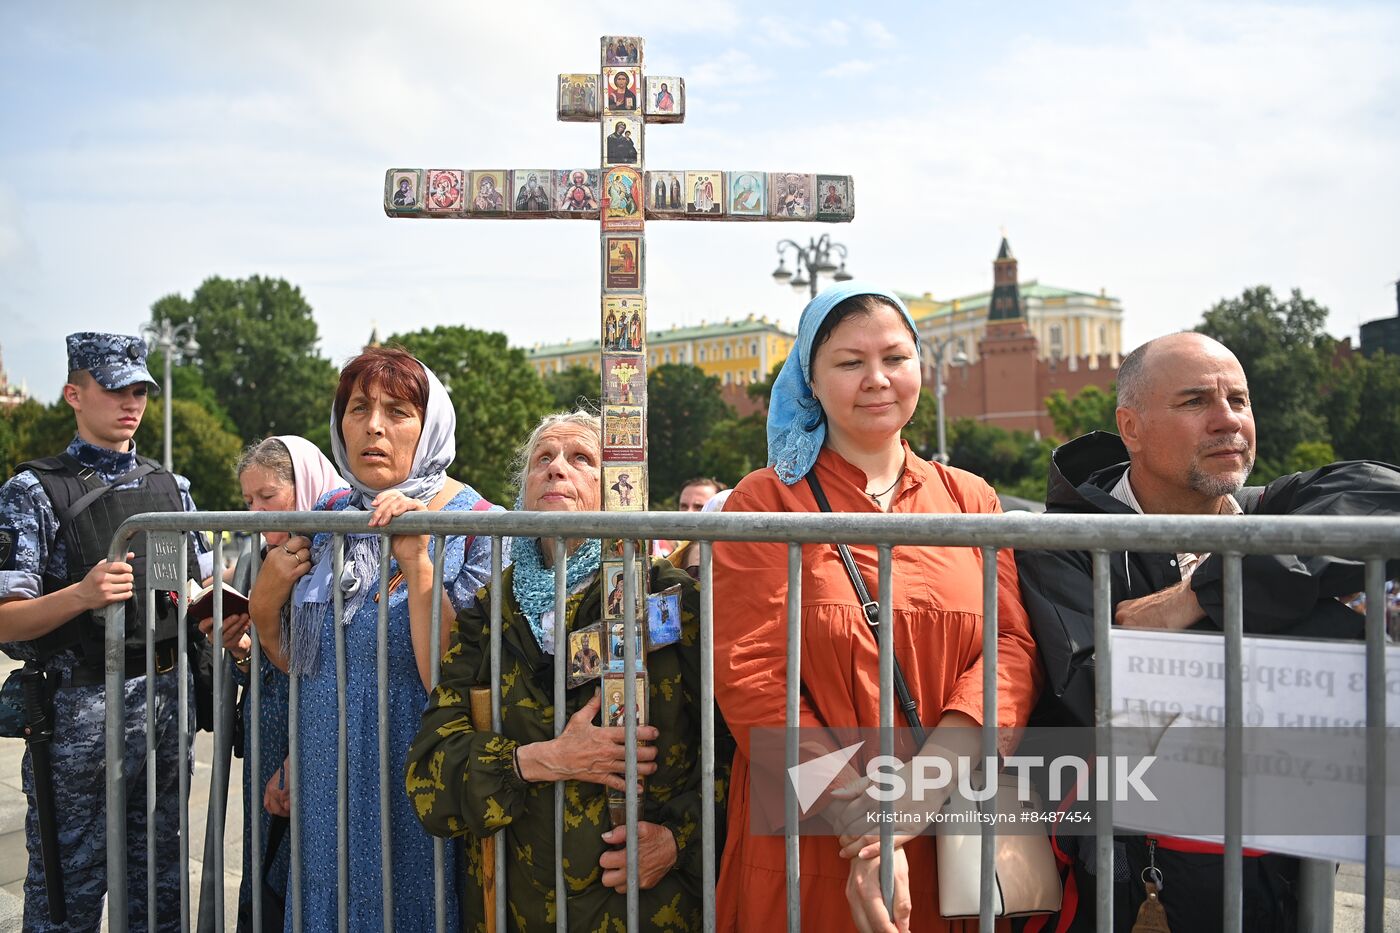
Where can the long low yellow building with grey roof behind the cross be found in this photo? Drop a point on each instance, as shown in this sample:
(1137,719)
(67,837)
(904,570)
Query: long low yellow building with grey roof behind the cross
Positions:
(736,352)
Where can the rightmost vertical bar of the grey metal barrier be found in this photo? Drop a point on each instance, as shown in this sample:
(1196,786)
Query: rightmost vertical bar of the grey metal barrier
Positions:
(1375,880)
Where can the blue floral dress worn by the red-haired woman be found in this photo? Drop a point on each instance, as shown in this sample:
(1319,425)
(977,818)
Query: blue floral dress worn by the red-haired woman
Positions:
(412,848)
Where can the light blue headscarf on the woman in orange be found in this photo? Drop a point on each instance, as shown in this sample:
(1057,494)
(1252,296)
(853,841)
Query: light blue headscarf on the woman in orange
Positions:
(797,427)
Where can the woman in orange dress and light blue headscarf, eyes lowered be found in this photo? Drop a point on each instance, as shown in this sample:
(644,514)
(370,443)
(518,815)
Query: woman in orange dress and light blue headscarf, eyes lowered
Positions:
(848,389)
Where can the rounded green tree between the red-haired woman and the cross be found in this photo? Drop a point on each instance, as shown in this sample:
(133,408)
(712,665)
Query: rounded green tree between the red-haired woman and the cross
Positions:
(498,396)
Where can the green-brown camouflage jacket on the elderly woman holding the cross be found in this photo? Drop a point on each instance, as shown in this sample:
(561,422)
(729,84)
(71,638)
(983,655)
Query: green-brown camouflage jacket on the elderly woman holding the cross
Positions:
(464,784)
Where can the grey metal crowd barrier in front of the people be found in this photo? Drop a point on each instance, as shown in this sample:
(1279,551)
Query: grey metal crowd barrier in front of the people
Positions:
(1370,540)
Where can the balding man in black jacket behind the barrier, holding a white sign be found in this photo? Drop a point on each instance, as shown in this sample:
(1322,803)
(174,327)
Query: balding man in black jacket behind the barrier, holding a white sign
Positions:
(1186,446)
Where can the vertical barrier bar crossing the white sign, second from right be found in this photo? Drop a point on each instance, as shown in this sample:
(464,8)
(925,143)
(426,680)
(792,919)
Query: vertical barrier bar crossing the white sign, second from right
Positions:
(1234,626)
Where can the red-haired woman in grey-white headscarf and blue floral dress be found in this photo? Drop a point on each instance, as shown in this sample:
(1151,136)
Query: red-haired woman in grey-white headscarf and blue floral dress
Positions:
(393,435)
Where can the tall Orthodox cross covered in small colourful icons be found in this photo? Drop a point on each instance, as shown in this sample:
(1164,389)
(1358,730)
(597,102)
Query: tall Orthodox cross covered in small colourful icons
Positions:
(622,195)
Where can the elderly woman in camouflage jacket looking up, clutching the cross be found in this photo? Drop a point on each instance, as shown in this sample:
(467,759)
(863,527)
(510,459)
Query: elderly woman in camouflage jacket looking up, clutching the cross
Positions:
(467,781)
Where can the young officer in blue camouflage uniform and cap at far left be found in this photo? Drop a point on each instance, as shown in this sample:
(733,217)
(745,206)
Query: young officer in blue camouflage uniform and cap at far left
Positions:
(51,618)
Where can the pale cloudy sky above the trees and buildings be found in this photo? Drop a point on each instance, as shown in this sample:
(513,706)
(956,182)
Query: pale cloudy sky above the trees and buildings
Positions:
(1172,153)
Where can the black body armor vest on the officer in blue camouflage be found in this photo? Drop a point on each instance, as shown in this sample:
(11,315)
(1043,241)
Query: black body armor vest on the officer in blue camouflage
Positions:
(87,537)
